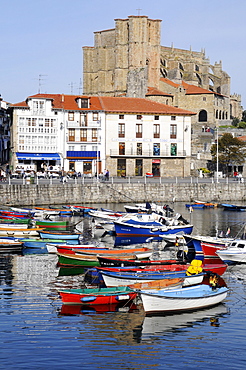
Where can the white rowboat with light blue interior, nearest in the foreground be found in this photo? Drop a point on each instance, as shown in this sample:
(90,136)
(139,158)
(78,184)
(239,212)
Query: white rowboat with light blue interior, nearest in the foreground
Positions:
(184,299)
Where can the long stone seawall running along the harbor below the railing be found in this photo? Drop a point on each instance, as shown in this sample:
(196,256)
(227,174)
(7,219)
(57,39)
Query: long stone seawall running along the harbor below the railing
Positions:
(119,193)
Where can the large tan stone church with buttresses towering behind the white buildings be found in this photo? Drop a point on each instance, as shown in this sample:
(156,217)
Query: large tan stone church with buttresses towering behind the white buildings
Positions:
(129,60)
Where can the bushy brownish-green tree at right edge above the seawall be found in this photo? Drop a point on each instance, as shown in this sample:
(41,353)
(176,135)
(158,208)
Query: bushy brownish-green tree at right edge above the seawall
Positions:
(231,151)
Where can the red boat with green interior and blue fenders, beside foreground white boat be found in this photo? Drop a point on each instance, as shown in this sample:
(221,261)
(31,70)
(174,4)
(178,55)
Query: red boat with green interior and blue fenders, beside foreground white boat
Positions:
(98,296)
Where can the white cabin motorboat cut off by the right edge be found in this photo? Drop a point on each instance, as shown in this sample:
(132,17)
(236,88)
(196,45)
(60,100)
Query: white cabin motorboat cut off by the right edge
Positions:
(234,253)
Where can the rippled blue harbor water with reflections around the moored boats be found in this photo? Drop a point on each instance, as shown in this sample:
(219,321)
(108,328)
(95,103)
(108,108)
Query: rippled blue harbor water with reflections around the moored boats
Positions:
(38,332)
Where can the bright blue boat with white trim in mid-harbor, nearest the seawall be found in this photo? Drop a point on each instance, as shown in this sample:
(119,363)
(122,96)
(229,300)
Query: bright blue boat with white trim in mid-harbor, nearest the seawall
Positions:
(155,229)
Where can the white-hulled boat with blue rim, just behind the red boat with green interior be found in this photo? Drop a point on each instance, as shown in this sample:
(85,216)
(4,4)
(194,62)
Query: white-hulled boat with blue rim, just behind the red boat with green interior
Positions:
(117,279)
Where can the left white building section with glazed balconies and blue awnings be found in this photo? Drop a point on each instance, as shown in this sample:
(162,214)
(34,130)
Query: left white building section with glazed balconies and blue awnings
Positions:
(62,131)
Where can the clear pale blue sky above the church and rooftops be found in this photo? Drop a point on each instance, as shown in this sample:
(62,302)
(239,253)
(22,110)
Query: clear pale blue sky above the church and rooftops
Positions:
(44,38)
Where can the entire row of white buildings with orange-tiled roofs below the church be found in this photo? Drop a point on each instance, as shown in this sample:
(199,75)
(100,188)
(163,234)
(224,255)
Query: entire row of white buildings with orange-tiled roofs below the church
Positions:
(87,134)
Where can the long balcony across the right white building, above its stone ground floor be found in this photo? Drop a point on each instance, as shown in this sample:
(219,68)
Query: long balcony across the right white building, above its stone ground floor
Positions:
(145,153)
